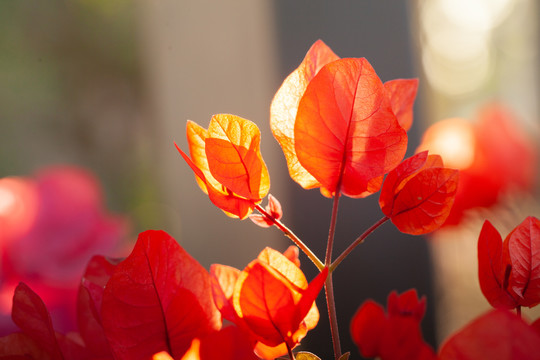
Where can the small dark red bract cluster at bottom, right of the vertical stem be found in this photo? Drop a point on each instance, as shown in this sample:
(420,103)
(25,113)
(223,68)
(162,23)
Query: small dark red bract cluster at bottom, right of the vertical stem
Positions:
(395,335)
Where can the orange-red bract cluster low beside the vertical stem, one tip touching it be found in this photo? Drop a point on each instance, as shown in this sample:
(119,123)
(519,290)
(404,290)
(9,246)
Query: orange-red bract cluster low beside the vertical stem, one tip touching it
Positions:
(270,299)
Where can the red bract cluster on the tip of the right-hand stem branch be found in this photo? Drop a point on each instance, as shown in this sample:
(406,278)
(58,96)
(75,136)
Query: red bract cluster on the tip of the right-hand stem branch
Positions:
(418,195)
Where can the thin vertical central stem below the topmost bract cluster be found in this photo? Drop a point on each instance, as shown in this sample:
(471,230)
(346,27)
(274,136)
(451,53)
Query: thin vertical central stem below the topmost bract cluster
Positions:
(329,286)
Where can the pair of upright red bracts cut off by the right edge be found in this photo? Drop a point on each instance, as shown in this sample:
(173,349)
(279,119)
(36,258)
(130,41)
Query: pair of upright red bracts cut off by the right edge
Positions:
(509,271)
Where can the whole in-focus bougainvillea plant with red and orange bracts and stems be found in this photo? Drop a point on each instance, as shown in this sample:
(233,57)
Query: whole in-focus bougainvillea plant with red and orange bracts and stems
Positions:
(343,131)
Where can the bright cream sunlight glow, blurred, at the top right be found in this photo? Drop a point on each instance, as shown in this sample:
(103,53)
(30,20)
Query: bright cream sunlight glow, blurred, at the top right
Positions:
(457,46)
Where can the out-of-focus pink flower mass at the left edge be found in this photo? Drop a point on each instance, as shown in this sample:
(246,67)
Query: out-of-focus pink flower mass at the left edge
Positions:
(52,225)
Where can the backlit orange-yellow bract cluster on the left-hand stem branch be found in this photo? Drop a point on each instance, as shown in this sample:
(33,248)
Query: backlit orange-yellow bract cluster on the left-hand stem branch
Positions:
(228,164)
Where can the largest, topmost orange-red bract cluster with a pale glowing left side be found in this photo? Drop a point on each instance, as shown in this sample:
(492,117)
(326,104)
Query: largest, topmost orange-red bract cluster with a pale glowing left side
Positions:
(337,124)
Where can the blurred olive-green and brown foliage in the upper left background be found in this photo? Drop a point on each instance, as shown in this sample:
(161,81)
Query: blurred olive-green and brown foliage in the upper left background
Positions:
(71,92)
